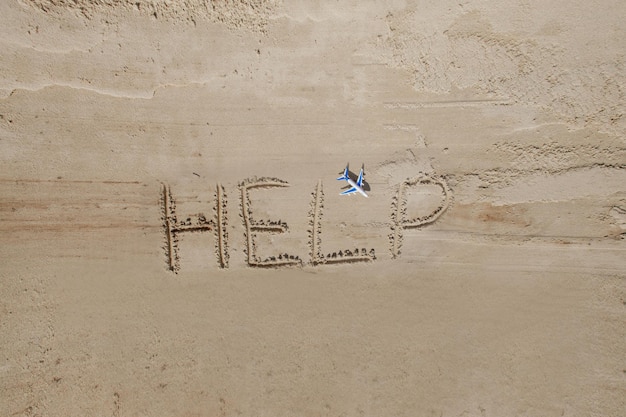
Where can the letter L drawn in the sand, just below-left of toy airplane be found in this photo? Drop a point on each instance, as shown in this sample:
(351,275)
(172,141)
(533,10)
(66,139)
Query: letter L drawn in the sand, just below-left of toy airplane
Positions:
(315,237)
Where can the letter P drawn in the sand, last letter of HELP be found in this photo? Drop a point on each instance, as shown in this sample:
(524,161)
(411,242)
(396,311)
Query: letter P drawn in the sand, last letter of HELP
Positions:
(399,222)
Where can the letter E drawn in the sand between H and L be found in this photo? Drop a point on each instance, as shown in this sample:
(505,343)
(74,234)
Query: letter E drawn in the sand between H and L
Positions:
(251,226)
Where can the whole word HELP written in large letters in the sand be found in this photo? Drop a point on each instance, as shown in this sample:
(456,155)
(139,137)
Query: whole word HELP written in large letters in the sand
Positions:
(173,227)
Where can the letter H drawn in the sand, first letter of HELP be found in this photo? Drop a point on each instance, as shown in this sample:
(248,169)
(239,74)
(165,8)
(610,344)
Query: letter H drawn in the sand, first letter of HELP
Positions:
(173,227)
